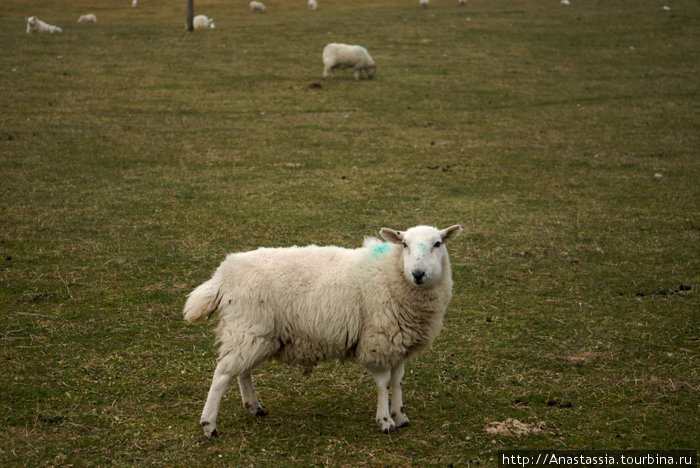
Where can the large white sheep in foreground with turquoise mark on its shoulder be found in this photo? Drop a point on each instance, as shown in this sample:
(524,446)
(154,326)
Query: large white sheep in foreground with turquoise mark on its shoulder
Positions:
(378,305)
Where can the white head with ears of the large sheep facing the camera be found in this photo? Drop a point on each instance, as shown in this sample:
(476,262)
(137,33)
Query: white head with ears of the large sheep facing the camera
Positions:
(423,253)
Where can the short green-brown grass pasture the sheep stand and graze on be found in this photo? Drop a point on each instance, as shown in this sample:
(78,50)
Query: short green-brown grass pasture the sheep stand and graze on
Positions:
(135,155)
